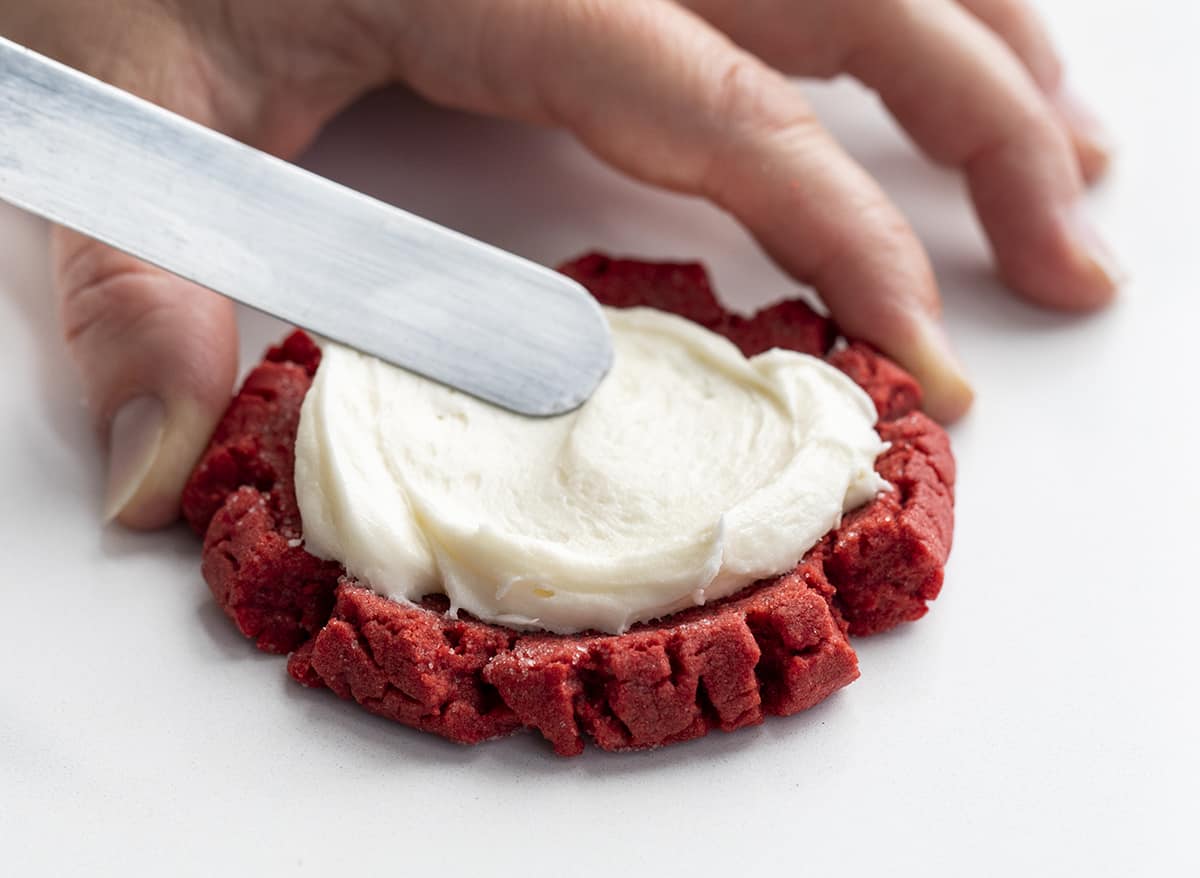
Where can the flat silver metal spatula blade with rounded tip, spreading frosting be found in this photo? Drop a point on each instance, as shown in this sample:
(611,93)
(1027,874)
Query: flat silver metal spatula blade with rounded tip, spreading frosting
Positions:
(295,245)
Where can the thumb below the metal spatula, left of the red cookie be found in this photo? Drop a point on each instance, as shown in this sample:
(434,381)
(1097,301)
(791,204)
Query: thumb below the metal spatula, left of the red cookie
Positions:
(159,358)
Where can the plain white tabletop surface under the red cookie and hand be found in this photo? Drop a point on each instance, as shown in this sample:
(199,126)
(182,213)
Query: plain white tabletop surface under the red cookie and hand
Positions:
(1042,720)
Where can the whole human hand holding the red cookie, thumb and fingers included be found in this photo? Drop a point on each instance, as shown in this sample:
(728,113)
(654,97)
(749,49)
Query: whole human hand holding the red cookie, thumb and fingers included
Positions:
(661,92)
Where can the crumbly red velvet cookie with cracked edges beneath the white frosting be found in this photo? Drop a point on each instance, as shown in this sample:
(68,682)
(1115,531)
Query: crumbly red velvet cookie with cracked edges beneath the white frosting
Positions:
(777,647)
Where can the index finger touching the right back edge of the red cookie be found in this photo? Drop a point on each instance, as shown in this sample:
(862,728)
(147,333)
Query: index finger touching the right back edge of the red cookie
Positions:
(668,99)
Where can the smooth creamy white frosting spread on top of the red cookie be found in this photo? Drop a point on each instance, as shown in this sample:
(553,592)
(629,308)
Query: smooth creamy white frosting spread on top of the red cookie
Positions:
(691,473)
